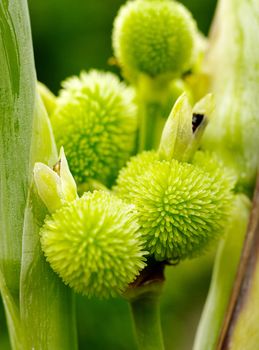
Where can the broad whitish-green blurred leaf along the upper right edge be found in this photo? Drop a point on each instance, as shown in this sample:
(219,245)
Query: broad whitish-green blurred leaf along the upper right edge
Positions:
(232,62)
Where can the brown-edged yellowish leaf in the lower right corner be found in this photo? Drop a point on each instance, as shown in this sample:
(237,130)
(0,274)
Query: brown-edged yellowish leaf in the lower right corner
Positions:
(240,329)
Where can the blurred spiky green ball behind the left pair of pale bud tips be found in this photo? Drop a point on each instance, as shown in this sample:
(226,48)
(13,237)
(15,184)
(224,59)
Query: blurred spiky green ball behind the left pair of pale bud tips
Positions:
(95,121)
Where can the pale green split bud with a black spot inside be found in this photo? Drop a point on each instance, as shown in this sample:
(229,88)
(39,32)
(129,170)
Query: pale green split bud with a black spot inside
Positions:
(184,128)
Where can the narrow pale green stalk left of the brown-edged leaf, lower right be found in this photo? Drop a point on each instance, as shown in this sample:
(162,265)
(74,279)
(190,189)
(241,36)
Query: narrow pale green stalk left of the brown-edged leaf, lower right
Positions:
(223,277)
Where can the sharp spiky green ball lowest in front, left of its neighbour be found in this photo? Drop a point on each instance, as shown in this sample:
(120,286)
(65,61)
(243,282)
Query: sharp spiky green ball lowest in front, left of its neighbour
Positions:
(94,244)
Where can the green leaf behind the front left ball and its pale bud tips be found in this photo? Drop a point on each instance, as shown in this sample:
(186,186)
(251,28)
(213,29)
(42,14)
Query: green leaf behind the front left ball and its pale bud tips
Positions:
(47,306)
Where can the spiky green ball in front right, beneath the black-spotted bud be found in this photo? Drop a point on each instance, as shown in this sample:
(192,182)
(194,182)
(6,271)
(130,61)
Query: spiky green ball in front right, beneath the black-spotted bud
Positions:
(181,207)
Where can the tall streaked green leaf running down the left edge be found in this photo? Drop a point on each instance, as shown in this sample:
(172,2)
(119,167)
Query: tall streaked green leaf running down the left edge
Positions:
(17,96)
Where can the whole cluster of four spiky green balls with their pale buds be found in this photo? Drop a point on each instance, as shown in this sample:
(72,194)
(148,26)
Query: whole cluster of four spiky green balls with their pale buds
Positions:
(169,203)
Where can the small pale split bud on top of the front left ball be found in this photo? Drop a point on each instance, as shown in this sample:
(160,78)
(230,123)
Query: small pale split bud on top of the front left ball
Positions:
(55,187)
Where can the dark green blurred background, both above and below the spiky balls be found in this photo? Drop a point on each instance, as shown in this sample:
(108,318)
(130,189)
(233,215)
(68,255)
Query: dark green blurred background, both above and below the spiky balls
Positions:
(70,36)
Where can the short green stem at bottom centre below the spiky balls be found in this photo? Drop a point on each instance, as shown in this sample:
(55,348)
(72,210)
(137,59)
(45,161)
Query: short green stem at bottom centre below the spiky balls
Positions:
(146,317)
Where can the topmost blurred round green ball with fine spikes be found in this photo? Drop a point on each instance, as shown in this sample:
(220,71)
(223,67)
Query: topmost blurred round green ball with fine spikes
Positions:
(154,38)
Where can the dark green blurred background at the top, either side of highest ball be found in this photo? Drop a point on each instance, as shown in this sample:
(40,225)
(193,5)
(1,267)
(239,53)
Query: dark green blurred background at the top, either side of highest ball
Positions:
(73,35)
